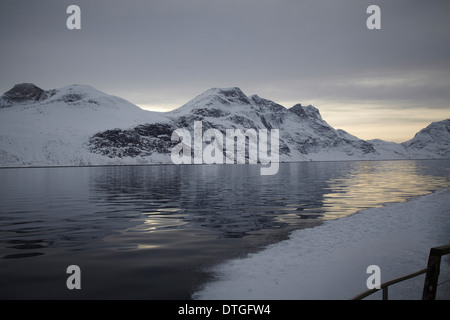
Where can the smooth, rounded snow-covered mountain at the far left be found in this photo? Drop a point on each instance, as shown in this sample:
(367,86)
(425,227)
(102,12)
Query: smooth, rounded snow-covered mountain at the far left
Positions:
(42,128)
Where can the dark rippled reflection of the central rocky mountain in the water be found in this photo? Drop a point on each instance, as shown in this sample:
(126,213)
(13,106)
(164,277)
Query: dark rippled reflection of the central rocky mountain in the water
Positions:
(231,200)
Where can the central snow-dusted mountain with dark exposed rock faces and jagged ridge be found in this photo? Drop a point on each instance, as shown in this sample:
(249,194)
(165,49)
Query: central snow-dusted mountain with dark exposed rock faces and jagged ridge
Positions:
(303,132)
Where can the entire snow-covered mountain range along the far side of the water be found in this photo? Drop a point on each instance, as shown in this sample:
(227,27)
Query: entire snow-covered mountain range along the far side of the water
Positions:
(79,125)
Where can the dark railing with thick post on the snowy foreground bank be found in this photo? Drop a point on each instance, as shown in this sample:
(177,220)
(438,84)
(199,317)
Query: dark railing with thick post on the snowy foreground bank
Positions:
(431,279)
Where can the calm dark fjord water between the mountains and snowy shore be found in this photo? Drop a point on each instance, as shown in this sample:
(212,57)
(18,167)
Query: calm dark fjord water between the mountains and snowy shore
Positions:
(149,232)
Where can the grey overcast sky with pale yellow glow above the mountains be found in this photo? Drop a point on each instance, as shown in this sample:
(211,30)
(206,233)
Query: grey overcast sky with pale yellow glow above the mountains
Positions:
(159,54)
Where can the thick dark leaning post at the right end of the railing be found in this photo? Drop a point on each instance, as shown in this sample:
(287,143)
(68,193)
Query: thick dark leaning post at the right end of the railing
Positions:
(432,275)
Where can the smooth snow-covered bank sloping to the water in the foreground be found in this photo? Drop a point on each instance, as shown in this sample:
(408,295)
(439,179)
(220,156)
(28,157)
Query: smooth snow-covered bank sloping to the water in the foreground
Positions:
(330,261)
